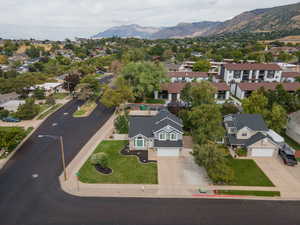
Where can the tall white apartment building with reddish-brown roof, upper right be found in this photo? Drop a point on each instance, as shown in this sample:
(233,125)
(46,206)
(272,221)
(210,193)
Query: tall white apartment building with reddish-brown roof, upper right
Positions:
(251,72)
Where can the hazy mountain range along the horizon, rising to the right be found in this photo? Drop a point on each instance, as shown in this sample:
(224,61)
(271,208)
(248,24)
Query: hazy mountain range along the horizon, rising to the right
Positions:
(285,17)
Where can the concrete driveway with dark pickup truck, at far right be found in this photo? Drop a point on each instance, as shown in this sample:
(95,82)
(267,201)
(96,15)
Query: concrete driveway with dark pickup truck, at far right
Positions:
(281,175)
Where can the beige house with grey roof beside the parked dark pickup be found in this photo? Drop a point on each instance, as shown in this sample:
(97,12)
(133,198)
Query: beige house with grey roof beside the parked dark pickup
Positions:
(249,131)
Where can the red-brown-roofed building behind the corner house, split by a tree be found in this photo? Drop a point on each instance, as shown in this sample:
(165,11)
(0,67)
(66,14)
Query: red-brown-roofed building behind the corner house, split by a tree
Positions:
(171,92)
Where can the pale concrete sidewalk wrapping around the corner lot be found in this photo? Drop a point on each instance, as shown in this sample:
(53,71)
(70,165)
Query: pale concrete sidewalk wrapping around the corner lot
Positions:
(74,187)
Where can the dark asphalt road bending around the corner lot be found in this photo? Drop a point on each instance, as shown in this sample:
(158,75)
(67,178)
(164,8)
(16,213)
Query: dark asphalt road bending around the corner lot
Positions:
(25,200)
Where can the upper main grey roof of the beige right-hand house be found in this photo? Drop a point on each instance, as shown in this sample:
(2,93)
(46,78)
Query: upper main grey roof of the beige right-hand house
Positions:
(253,121)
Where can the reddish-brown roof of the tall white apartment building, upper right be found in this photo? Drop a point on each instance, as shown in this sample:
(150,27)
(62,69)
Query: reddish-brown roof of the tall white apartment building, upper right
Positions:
(252,66)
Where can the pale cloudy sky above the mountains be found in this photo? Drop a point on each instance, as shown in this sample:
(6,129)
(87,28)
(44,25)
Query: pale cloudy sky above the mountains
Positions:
(60,19)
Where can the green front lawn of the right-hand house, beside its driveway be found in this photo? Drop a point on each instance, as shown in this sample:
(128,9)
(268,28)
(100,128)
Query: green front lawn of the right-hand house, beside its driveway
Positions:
(247,173)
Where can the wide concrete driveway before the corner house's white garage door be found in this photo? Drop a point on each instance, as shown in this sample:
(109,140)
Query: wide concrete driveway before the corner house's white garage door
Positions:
(181,171)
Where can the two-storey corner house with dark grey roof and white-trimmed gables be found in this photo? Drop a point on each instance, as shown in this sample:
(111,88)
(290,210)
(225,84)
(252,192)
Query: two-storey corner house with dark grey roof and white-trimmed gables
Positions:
(162,133)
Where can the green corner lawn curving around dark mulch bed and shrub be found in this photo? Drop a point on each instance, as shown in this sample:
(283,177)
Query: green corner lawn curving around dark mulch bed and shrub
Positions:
(126,169)
